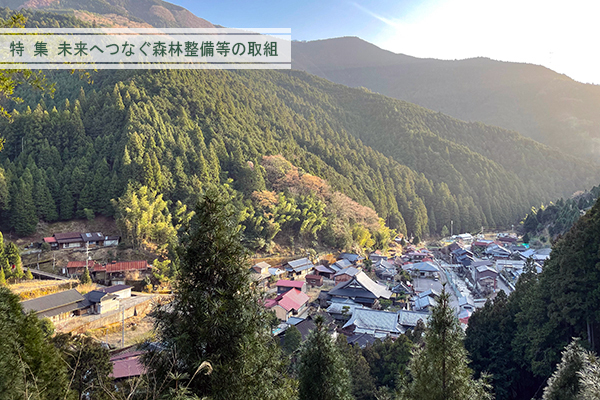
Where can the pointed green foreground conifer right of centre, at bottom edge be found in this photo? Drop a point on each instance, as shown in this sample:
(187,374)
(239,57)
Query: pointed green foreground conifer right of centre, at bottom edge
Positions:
(439,370)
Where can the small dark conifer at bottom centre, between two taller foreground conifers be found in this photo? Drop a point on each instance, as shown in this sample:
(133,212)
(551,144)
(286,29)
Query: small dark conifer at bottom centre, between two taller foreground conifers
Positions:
(321,369)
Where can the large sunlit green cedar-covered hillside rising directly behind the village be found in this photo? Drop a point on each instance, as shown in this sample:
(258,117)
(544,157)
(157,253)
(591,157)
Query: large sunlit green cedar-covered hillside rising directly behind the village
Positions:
(177,132)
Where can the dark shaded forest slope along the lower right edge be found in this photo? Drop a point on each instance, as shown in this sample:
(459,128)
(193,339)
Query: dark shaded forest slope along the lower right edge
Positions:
(519,339)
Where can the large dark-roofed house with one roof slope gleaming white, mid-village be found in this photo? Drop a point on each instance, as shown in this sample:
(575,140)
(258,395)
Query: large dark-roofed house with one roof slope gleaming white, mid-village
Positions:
(362,290)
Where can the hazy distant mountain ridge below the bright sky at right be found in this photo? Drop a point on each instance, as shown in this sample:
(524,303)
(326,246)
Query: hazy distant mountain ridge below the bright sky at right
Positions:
(532,100)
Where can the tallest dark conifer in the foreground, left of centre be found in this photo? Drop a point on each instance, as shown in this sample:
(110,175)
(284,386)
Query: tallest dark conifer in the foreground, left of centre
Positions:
(216,317)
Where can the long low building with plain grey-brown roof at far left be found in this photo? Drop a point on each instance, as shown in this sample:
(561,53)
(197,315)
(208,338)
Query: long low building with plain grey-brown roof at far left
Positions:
(57,306)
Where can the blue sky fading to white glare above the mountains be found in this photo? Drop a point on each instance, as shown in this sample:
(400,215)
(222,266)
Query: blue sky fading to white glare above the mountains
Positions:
(563,36)
